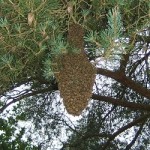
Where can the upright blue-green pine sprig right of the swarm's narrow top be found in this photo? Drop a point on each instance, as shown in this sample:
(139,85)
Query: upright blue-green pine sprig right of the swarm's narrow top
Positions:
(107,38)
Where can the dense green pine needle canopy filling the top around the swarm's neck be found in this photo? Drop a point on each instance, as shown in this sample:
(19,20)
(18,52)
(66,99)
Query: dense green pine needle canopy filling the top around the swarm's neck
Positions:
(30,44)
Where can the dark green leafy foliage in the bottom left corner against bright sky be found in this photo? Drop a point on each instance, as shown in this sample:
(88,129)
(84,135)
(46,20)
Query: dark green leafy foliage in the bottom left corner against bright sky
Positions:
(8,139)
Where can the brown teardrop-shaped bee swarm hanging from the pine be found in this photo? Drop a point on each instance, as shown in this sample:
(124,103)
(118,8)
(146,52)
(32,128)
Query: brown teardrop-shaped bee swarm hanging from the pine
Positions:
(77,76)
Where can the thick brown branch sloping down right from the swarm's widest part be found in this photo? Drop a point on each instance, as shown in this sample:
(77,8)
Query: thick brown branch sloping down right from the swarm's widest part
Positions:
(120,77)
